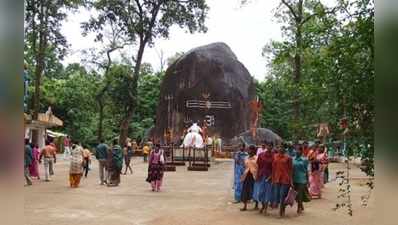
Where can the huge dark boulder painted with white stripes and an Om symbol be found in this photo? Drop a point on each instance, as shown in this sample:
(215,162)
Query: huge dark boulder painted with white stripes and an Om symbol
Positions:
(209,84)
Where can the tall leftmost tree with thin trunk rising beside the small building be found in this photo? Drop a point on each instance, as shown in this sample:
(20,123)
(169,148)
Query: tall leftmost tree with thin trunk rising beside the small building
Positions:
(43,20)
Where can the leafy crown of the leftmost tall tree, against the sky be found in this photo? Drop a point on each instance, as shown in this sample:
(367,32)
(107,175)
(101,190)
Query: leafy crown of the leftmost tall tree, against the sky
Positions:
(43,19)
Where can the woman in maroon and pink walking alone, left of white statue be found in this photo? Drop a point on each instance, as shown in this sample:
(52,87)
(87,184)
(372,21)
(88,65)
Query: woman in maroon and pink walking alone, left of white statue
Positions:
(156,168)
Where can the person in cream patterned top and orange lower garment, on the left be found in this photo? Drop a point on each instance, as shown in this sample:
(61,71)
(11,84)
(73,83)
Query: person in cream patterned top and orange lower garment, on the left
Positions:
(76,166)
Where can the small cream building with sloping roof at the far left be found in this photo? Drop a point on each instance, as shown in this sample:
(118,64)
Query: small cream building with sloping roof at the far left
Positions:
(44,121)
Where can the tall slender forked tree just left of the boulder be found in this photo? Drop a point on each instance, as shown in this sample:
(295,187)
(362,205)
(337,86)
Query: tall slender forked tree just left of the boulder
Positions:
(142,22)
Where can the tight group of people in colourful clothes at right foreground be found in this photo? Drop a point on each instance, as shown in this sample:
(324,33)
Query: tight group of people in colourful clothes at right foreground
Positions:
(277,176)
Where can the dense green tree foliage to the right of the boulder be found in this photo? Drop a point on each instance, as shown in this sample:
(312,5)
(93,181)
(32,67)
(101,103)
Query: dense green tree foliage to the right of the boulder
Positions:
(337,76)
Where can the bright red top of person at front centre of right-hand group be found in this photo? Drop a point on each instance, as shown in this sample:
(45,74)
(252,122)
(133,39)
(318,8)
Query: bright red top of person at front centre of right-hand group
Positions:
(282,168)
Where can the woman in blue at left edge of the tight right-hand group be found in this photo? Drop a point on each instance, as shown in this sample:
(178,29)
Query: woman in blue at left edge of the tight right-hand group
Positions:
(239,167)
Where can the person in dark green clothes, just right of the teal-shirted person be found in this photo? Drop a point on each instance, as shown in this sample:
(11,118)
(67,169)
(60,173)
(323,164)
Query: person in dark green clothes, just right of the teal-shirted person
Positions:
(116,164)
